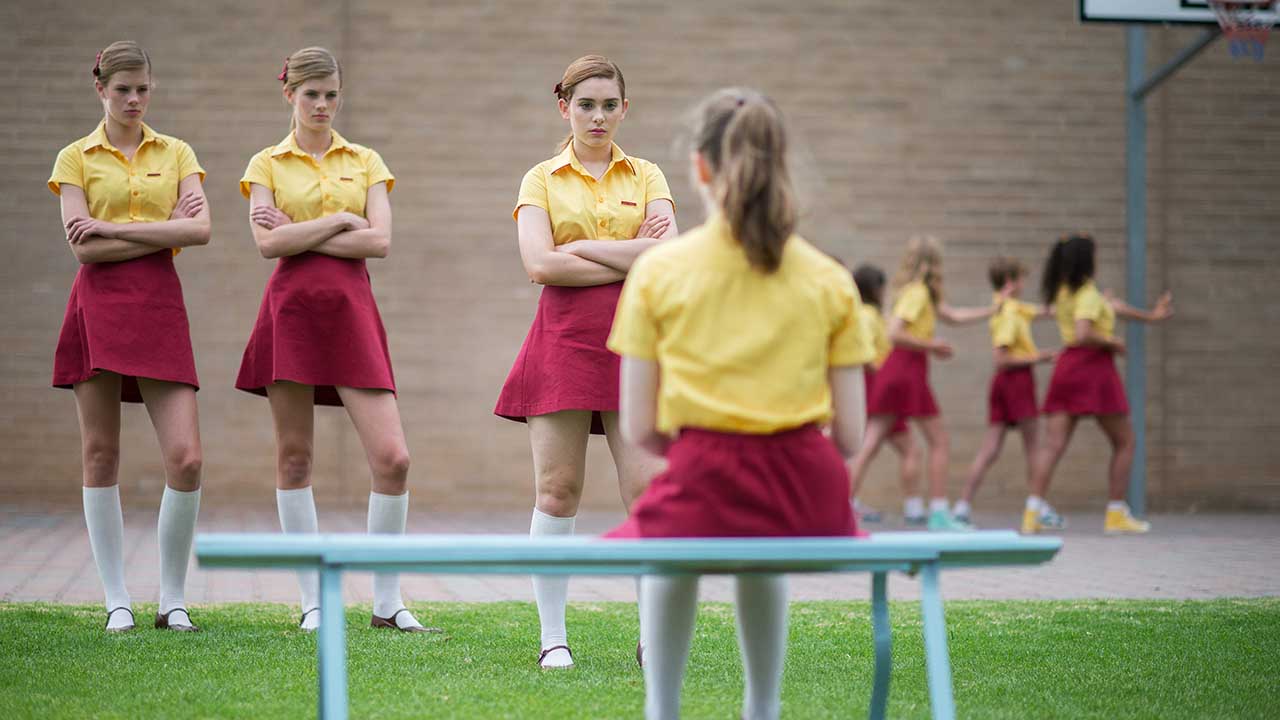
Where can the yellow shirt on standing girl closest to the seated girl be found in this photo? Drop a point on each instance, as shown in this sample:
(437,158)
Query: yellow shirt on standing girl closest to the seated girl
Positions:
(583,208)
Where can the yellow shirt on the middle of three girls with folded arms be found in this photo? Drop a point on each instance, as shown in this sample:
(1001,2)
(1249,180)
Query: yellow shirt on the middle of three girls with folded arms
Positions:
(307,190)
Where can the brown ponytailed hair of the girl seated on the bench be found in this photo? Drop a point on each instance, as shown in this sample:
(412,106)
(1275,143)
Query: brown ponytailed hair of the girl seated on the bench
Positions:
(742,136)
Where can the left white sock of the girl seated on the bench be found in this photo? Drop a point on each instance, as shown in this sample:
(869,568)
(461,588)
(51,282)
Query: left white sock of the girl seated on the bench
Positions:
(670,605)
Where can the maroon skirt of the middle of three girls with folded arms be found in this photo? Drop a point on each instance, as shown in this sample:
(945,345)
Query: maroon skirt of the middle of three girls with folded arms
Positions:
(318,326)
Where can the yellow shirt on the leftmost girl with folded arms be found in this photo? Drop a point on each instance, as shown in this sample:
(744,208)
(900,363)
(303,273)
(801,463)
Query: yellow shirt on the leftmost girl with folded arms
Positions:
(118,190)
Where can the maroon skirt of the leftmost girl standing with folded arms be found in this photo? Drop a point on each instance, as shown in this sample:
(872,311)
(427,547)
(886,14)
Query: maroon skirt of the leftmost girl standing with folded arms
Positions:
(126,318)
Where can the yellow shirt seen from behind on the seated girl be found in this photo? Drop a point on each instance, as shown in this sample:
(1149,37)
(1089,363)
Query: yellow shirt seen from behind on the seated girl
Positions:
(739,350)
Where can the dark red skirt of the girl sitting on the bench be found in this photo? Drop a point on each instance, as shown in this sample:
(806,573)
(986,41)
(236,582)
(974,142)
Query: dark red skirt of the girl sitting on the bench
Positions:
(733,485)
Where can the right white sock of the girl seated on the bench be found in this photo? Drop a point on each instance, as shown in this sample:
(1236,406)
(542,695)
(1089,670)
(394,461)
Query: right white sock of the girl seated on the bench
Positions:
(762,634)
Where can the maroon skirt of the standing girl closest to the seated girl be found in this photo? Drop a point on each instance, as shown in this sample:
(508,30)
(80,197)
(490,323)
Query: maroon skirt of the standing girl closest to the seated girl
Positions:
(565,364)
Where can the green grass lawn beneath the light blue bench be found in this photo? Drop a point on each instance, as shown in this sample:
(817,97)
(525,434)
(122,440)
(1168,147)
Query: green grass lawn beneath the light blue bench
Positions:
(1025,660)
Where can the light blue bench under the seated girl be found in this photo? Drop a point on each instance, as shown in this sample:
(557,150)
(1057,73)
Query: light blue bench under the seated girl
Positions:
(926,554)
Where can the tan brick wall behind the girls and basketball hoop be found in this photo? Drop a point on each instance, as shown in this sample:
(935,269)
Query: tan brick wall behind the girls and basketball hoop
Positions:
(993,129)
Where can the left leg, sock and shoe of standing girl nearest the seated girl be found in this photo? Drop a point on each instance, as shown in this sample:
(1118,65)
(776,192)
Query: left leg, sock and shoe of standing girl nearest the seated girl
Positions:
(559,443)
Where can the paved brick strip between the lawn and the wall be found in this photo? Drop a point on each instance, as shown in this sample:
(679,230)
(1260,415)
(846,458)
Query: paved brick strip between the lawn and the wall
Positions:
(45,557)
